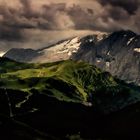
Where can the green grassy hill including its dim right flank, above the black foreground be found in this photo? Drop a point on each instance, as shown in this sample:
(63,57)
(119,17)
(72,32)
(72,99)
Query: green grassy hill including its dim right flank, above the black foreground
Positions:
(67,81)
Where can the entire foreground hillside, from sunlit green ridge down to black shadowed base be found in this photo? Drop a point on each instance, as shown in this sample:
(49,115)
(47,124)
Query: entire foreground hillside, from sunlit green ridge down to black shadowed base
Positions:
(65,98)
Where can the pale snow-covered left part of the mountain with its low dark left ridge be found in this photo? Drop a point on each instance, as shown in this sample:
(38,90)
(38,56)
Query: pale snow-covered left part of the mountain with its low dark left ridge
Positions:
(62,50)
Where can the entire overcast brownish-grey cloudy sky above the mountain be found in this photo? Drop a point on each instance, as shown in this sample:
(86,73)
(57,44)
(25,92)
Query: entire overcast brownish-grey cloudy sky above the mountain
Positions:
(37,23)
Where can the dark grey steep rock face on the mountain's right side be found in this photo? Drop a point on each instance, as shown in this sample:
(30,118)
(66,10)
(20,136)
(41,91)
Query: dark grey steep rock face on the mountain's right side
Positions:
(119,54)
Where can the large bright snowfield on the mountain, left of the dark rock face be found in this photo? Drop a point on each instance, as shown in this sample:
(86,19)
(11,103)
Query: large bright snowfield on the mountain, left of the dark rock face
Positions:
(60,51)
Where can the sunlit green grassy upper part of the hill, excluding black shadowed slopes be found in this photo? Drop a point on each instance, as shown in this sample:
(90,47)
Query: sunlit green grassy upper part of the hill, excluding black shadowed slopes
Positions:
(77,79)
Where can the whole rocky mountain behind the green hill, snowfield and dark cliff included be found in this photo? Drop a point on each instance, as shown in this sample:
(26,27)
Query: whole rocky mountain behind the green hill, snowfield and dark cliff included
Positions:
(117,53)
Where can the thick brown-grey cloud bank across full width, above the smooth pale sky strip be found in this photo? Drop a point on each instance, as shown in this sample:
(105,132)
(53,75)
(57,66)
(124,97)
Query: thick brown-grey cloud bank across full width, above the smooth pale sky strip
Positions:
(103,15)
